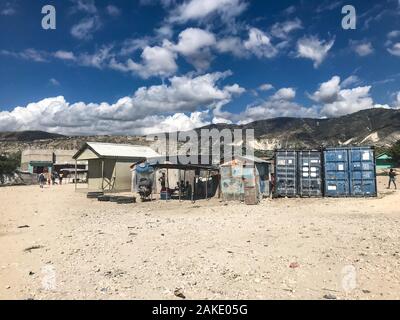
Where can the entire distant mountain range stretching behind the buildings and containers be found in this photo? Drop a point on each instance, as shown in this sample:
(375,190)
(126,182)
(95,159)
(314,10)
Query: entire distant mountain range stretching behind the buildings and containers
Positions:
(379,127)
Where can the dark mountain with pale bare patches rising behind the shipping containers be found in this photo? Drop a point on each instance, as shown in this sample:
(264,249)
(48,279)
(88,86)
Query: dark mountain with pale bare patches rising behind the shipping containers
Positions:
(380,127)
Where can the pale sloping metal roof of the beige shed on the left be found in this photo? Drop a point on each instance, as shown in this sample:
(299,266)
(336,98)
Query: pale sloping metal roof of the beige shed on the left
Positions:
(122,150)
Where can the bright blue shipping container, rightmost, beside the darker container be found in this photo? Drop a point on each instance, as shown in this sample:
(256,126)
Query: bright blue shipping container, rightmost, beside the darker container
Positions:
(350,172)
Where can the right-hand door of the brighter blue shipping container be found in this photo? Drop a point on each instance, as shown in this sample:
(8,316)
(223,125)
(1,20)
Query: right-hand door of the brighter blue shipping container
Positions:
(362,172)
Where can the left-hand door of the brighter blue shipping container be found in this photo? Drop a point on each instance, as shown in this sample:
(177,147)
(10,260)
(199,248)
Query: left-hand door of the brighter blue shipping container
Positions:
(336,173)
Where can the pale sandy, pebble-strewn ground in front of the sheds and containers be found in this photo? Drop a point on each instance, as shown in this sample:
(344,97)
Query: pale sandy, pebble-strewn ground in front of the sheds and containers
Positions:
(281,249)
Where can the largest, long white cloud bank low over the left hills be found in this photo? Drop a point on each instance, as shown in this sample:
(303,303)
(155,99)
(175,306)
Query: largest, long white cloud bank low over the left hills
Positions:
(151,109)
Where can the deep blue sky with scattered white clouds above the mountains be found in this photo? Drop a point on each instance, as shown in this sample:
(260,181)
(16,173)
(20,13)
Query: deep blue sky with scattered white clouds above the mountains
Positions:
(139,67)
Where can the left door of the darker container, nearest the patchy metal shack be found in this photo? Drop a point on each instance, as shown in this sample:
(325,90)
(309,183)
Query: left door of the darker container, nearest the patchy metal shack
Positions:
(286,173)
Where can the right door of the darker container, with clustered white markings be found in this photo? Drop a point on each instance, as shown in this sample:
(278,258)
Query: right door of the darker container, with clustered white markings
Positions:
(309,171)
